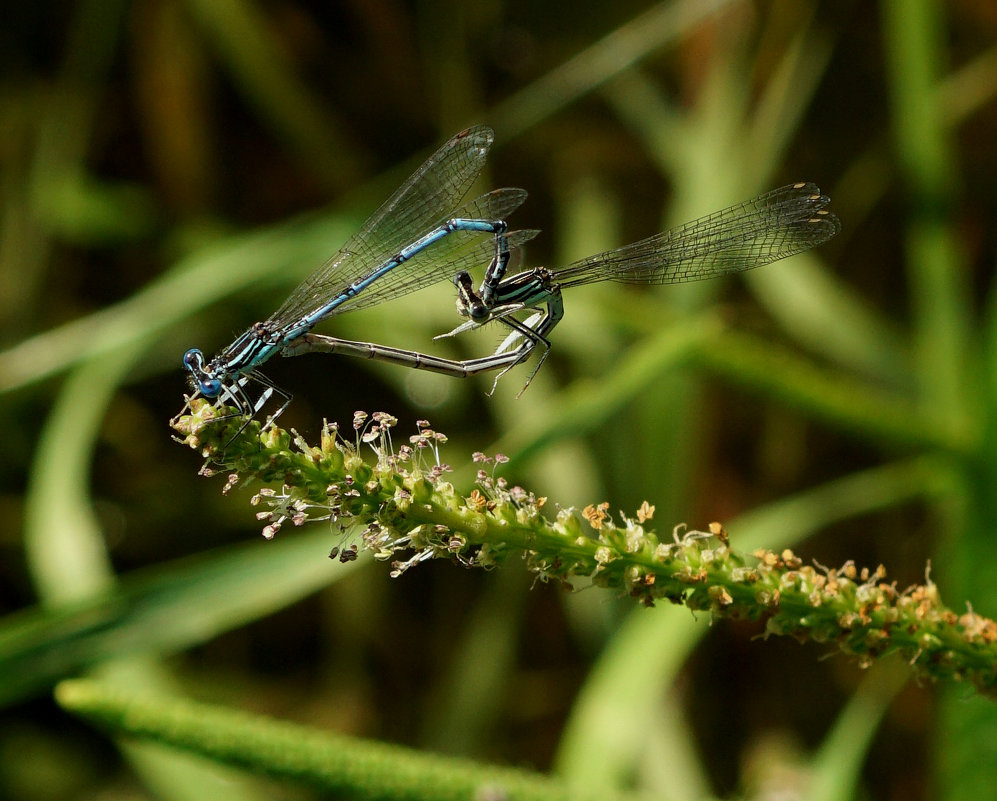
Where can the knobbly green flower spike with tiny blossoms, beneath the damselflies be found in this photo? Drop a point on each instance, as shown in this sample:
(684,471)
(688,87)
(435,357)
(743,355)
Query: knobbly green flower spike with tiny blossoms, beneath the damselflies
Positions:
(397,503)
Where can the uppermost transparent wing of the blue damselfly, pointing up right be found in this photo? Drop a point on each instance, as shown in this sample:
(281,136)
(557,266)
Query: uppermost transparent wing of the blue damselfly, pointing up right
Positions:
(422,202)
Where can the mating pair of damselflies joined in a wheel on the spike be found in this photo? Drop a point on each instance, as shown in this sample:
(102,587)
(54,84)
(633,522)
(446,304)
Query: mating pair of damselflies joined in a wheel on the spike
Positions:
(422,234)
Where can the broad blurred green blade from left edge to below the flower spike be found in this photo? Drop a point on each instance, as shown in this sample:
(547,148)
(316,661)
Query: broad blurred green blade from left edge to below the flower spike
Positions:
(163,610)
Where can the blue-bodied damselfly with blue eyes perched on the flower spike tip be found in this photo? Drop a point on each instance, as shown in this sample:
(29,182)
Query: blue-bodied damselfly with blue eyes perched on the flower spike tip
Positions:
(416,238)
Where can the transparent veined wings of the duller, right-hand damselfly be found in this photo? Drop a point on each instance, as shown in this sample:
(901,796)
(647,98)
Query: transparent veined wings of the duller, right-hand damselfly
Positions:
(768,228)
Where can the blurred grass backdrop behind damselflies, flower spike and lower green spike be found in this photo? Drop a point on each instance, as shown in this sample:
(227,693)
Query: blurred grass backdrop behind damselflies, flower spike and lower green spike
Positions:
(169,169)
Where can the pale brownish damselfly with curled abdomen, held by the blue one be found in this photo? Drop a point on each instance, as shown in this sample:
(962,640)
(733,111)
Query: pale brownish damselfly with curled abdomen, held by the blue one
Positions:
(770,227)
